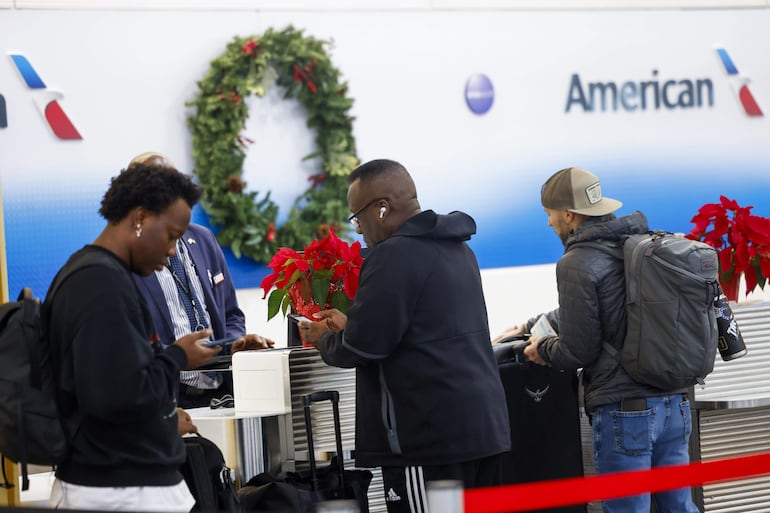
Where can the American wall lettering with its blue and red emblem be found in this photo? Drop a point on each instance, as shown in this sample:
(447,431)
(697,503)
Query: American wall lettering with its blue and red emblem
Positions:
(656,92)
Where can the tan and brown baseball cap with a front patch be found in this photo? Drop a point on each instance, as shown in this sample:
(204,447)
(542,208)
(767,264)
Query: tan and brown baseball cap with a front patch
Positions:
(576,190)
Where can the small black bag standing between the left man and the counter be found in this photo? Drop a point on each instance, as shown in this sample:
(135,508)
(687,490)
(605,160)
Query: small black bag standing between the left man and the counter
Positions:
(208,477)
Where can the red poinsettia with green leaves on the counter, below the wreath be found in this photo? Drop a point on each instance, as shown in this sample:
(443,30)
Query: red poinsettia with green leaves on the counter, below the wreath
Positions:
(323,276)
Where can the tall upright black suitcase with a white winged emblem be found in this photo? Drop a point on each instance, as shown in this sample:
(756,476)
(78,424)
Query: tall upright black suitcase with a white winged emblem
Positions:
(544,414)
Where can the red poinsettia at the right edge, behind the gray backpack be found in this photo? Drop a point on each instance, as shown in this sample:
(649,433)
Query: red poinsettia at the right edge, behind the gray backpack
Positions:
(741,239)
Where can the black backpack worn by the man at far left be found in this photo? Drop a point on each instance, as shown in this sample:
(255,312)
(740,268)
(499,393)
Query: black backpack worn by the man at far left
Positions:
(31,429)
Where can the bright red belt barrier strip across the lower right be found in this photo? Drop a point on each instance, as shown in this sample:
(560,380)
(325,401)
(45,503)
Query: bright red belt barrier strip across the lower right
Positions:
(563,492)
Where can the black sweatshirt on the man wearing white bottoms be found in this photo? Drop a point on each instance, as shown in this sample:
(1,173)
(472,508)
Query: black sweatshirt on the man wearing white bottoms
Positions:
(116,390)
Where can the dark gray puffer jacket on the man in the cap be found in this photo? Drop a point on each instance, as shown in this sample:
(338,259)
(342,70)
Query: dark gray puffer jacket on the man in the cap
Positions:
(592,310)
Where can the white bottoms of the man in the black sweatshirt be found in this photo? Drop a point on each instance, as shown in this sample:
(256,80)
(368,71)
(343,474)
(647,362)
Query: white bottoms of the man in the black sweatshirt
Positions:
(175,498)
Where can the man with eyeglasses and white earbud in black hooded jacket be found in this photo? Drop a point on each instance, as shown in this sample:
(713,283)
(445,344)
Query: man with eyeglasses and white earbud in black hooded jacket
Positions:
(429,402)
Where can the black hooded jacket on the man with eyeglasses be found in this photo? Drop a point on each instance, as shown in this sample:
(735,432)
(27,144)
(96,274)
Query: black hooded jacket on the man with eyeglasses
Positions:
(428,391)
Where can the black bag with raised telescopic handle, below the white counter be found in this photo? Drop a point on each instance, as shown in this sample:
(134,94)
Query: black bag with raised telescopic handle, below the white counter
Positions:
(299,492)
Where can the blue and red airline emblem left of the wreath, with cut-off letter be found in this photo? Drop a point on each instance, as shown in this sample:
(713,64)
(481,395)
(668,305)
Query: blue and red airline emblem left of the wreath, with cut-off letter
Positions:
(47,101)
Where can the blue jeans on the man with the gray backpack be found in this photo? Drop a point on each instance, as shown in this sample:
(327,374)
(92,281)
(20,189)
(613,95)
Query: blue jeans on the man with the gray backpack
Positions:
(636,440)
